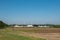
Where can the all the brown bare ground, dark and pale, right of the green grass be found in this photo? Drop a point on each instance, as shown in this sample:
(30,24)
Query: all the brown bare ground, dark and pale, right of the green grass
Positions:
(46,33)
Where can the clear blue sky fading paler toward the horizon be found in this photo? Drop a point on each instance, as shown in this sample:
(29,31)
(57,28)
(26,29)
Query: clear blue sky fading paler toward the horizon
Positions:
(30,11)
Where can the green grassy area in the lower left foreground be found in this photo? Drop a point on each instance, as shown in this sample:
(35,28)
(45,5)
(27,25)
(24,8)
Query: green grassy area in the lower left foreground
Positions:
(6,35)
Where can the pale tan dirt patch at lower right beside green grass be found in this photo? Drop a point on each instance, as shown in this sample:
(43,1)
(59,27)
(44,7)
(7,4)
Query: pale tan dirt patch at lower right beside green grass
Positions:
(48,36)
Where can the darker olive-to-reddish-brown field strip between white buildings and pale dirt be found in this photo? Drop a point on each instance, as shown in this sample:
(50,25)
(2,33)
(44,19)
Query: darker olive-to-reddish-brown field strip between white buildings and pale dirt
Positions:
(39,30)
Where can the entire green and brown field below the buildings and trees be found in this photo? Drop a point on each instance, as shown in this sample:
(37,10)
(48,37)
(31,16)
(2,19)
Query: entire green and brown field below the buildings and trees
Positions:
(30,34)
